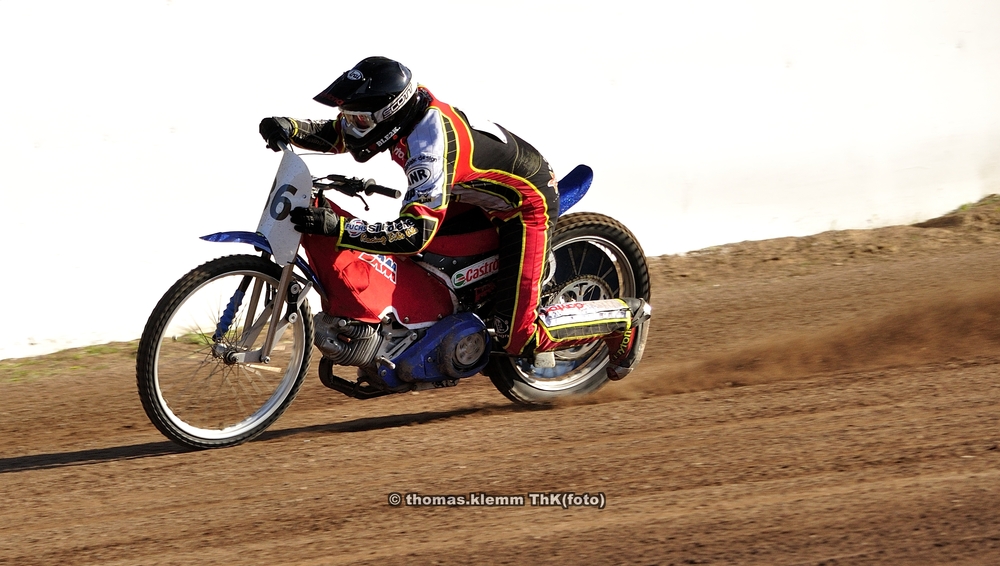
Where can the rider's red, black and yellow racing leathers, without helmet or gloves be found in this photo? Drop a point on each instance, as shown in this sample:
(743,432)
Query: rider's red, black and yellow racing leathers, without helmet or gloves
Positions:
(450,157)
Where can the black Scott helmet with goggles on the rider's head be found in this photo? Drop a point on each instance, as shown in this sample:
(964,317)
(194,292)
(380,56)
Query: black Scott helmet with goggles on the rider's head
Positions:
(378,100)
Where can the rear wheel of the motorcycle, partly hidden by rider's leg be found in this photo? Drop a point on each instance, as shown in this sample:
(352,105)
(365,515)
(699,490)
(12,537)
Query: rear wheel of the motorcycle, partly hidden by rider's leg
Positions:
(593,257)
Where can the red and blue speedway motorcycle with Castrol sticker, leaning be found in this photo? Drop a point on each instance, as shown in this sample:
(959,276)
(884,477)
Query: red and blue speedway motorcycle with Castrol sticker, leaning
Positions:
(226,349)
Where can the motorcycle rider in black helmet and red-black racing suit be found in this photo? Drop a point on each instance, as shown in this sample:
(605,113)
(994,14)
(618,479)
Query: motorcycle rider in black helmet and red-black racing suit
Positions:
(451,159)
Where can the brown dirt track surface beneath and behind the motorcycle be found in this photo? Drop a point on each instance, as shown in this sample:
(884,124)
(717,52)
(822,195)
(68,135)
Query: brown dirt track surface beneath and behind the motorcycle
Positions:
(821,400)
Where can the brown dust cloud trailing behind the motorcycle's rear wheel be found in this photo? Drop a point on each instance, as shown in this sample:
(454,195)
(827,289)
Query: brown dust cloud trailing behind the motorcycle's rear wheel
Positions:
(958,324)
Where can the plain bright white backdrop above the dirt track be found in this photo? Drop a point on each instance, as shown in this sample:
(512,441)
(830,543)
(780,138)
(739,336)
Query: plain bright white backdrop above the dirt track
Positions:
(130,127)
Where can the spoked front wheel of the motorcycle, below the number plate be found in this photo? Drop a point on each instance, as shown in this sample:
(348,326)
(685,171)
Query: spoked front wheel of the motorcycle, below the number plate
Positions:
(198,378)
